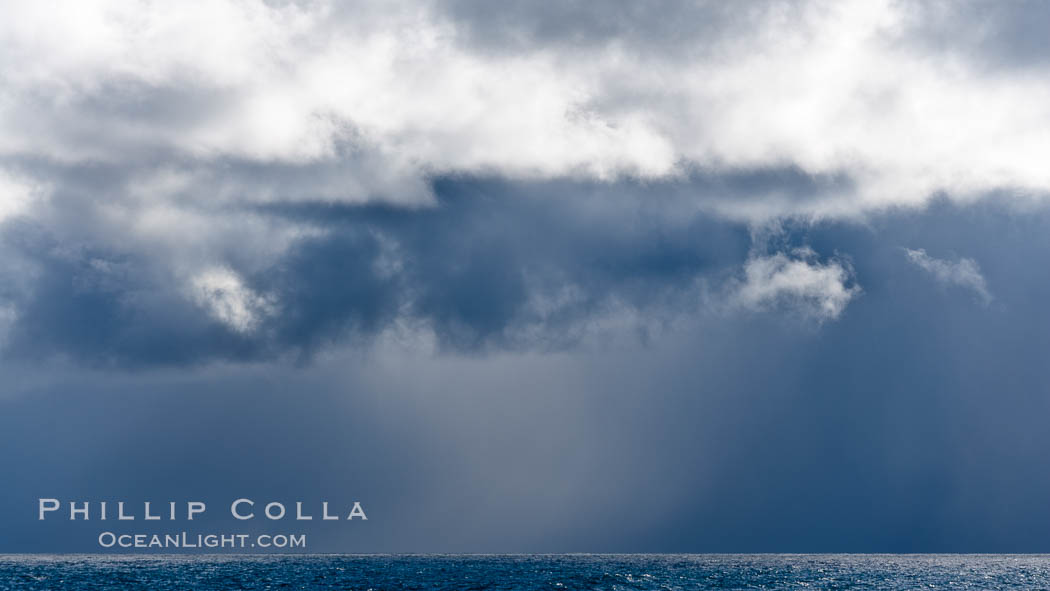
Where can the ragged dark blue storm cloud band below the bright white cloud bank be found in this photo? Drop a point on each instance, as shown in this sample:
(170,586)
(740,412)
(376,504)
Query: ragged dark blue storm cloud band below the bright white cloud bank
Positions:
(472,268)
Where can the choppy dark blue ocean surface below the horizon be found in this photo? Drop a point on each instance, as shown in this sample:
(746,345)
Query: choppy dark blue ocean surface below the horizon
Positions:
(555,573)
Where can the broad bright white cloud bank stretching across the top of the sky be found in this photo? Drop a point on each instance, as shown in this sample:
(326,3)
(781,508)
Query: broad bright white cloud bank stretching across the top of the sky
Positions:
(830,89)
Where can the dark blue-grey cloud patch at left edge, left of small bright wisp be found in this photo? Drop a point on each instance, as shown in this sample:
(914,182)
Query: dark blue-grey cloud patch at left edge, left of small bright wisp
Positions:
(103,308)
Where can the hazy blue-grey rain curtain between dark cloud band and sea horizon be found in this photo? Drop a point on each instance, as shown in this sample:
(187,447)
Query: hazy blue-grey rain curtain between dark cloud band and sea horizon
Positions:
(913,424)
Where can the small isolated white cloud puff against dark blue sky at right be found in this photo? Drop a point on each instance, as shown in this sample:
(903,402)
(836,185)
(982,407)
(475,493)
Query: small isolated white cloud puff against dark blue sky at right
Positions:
(796,282)
